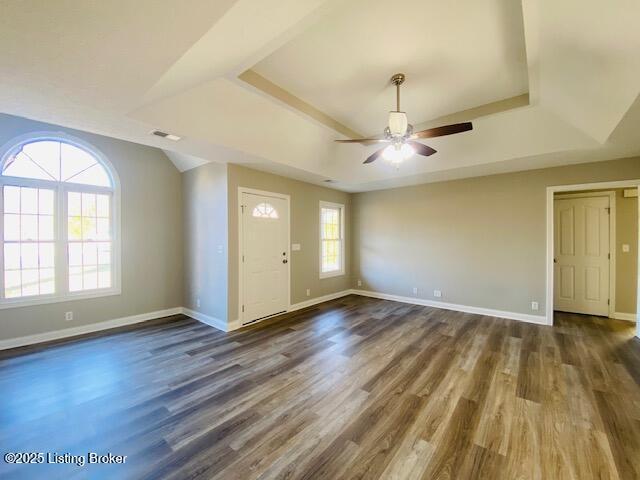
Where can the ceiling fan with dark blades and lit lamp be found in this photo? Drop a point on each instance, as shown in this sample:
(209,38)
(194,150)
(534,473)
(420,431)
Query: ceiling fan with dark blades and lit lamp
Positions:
(400,135)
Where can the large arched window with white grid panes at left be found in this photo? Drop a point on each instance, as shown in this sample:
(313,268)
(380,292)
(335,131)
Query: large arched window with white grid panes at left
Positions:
(59,208)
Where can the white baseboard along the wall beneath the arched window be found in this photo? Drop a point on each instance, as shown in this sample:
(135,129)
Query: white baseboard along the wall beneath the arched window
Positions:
(84,329)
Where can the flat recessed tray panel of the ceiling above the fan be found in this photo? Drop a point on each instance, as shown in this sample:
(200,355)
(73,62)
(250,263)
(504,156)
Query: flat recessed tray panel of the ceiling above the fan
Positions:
(457,55)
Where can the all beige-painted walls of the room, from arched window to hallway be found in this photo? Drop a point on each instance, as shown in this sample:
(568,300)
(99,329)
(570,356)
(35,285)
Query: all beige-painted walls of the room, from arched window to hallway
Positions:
(481,240)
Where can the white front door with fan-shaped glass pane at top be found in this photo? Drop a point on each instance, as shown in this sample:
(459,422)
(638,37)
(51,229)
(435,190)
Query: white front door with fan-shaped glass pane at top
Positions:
(265,256)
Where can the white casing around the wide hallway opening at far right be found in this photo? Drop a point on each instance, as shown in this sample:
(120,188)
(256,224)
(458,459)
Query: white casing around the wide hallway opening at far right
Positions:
(550,235)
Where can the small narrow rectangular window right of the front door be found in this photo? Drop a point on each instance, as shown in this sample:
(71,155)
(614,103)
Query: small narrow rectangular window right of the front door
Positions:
(331,239)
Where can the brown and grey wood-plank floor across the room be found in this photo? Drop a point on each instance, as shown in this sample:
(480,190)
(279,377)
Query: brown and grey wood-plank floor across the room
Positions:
(353,388)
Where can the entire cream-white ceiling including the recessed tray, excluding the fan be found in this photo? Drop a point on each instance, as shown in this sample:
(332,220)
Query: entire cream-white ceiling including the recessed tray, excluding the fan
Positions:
(123,68)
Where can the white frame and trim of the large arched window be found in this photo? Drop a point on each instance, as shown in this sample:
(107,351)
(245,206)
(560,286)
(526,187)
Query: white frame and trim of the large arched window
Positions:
(61,188)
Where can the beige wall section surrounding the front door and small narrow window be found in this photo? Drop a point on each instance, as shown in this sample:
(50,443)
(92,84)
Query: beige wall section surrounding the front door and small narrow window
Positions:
(305,230)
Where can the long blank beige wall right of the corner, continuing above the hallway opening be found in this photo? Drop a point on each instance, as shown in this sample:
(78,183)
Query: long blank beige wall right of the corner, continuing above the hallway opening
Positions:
(481,241)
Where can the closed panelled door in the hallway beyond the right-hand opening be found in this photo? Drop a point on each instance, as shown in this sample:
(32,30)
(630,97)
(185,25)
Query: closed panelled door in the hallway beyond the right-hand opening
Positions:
(581,255)
